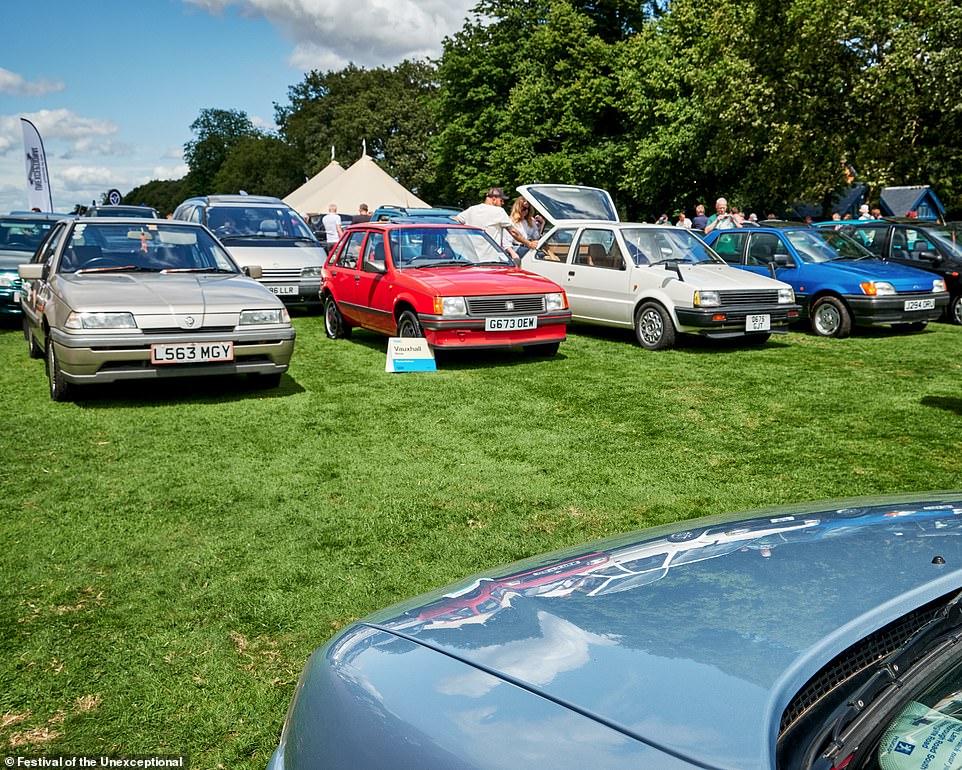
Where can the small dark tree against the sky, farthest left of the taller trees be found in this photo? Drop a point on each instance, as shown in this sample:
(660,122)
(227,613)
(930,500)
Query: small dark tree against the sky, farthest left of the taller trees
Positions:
(216,131)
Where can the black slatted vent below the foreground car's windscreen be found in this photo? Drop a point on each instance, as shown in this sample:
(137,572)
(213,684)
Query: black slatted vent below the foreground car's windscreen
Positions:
(857,658)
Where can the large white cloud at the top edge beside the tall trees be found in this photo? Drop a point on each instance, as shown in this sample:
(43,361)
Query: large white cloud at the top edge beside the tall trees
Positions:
(329,34)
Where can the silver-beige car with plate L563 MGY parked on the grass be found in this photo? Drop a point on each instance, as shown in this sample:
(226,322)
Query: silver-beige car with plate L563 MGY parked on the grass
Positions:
(120,299)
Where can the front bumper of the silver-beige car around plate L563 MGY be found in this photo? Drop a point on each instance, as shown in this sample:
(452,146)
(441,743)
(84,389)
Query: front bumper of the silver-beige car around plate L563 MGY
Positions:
(88,358)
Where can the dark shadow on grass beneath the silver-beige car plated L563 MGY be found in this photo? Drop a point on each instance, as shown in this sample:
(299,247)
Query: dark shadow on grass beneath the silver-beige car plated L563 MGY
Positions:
(181,390)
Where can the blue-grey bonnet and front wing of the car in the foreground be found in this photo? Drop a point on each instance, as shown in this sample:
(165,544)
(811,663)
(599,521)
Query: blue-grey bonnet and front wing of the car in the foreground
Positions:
(679,646)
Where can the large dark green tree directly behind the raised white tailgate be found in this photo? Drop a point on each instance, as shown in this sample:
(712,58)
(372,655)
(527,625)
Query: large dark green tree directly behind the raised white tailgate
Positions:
(528,93)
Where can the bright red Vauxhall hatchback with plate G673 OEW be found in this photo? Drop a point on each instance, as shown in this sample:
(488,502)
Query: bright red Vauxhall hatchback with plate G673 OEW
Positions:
(448,283)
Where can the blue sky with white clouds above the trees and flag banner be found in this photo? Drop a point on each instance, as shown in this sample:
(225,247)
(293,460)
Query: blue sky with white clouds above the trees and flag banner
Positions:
(113,85)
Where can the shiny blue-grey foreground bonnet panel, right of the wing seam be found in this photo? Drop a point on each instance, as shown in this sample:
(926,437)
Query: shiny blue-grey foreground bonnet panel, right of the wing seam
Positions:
(748,609)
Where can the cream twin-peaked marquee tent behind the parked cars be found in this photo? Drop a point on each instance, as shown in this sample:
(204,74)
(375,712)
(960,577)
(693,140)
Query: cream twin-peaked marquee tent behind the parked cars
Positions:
(363,182)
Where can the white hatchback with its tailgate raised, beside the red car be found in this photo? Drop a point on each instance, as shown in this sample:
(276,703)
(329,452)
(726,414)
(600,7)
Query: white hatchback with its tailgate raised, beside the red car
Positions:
(659,280)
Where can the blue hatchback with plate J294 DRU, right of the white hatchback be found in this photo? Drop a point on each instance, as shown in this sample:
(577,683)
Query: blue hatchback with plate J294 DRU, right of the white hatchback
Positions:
(838,283)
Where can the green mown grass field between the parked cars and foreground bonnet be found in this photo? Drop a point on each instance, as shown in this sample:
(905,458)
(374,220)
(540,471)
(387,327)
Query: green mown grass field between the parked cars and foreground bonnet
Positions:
(172,553)
